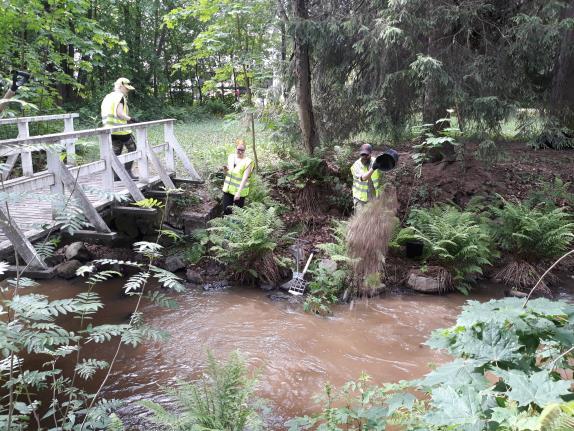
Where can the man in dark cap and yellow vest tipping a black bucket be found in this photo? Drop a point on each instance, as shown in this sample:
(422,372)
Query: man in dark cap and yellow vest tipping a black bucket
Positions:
(366,178)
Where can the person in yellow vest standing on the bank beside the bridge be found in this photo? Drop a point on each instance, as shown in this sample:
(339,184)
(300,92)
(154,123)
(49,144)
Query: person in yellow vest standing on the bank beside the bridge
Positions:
(237,178)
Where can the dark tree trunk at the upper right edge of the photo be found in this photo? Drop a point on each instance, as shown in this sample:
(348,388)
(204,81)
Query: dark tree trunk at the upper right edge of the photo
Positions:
(562,94)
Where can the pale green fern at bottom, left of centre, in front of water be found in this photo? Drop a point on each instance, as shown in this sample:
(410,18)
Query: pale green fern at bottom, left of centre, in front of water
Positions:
(222,400)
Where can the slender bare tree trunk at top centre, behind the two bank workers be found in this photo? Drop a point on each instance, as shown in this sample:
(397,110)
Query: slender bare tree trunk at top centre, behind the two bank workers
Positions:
(303,76)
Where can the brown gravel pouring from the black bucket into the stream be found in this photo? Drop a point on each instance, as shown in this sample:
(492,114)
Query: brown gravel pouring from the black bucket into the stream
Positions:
(368,236)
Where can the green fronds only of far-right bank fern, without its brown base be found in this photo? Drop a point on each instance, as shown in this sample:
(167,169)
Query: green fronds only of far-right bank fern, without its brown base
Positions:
(530,233)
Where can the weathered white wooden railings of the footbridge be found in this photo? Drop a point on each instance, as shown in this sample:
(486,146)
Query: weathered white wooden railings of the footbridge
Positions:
(60,177)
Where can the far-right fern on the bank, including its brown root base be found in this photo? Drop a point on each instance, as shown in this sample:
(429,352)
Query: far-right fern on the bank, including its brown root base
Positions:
(532,236)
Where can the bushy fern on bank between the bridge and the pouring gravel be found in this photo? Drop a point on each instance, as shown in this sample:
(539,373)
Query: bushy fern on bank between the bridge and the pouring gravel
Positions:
(245,242)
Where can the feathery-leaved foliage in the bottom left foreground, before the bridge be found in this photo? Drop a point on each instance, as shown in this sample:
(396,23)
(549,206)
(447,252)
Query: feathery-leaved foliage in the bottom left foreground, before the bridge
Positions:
(51,393)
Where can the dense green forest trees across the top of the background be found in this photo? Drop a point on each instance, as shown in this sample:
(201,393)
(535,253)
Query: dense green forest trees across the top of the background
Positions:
(342,65)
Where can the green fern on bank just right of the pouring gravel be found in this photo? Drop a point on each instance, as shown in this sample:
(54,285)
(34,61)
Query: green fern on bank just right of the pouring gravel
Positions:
(454,240)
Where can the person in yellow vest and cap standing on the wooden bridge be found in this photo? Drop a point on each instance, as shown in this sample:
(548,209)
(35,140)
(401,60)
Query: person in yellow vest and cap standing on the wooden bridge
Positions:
(115,112)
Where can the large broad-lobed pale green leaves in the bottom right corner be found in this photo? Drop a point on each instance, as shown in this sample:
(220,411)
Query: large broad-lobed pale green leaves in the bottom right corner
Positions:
(519,347)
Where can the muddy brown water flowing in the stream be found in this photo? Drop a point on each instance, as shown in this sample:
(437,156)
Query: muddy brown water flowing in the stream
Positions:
(295,353)
